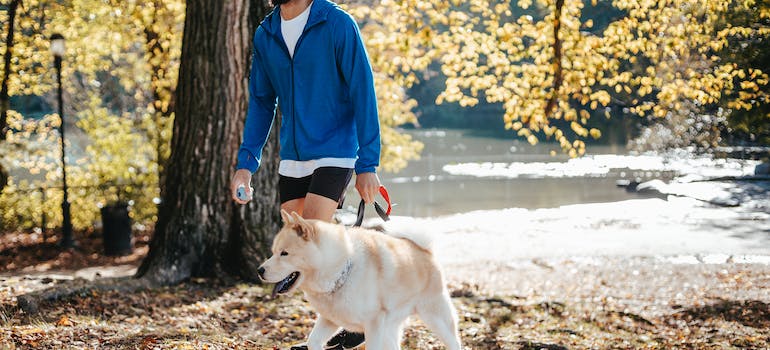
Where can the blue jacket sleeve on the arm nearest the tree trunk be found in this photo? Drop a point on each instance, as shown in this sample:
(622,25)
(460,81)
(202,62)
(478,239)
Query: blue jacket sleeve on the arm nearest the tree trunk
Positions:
(260,116)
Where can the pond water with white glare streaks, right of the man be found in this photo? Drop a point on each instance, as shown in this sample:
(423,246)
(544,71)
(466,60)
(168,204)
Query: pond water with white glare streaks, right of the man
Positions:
(460,172)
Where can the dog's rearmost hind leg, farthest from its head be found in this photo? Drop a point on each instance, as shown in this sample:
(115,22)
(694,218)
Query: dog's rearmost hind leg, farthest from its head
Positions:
(441,318)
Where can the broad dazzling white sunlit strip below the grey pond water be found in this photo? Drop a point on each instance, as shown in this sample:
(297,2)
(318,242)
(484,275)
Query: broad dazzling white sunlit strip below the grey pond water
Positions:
(682,228)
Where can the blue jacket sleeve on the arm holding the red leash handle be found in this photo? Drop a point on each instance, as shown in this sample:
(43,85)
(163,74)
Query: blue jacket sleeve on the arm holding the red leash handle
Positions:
(353,63)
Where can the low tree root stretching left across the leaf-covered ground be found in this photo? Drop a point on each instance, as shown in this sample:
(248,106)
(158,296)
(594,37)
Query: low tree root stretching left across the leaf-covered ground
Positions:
(30,303)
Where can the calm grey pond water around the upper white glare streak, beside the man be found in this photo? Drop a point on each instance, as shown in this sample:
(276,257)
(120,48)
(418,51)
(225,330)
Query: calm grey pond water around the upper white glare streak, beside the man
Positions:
(423,189)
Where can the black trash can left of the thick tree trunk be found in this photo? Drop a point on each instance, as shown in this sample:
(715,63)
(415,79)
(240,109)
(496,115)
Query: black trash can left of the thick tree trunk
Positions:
(116,229)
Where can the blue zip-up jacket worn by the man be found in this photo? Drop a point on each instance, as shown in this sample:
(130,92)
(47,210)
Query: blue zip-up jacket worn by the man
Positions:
(326,93)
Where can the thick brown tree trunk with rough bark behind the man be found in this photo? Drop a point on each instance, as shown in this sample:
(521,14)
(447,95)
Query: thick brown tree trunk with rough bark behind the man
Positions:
(200,230)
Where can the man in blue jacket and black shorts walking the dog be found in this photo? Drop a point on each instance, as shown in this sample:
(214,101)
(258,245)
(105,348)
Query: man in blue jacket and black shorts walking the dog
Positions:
(309,55)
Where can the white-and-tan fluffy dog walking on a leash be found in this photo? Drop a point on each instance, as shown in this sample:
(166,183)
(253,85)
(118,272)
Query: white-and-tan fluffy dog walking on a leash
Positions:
(361,280)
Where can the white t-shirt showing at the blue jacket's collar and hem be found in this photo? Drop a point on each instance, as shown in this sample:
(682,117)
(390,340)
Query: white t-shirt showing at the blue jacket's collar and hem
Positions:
(291,30)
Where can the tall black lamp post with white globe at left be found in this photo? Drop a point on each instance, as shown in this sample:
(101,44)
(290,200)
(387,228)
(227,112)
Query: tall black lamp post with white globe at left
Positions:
(57,49)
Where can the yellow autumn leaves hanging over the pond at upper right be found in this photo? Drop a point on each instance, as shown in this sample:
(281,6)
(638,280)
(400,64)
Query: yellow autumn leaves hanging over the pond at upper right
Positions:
(552,68)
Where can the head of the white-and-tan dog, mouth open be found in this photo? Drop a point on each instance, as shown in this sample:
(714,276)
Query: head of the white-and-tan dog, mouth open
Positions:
(295,253)
